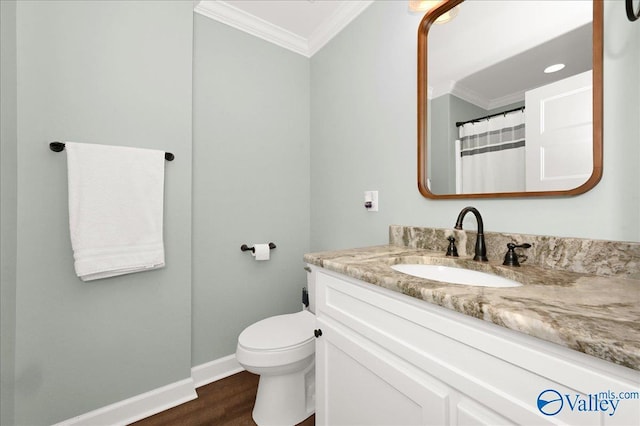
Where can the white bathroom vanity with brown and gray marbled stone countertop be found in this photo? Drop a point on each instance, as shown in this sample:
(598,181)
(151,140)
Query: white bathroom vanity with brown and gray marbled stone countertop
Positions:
(396,349)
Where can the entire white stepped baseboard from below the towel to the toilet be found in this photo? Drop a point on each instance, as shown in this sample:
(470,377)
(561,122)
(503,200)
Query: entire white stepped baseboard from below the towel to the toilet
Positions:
(149,403)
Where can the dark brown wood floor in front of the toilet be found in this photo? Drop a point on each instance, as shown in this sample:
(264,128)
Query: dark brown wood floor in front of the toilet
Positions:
(226,402)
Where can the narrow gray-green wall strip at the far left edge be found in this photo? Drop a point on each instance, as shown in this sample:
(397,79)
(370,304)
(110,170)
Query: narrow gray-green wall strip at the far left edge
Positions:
(8,187)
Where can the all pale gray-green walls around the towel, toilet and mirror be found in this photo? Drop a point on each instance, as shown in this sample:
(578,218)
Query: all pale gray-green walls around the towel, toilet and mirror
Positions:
(112,72)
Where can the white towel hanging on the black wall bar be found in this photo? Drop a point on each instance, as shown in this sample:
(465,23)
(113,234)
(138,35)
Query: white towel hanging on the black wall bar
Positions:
(115,209)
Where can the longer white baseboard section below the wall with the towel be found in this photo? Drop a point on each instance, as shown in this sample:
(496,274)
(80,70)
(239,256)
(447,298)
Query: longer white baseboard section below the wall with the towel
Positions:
(138,407)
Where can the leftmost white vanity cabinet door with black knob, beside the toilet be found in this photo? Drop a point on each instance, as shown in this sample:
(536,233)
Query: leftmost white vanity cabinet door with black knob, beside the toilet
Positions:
(360,383)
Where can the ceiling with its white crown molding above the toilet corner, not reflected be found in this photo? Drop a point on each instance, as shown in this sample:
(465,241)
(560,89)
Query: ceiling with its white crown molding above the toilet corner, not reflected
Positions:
(303,26)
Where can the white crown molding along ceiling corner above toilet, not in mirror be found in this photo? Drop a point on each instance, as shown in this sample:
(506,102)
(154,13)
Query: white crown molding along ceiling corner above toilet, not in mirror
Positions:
(224,12)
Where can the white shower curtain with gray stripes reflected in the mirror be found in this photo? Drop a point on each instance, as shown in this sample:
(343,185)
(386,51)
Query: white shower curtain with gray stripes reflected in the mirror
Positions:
(490,155)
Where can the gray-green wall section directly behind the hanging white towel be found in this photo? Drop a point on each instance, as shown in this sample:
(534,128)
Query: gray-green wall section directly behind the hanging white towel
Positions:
(112,73)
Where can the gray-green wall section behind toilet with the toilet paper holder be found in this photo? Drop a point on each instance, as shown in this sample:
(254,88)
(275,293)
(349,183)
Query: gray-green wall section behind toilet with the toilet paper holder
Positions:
(250,183)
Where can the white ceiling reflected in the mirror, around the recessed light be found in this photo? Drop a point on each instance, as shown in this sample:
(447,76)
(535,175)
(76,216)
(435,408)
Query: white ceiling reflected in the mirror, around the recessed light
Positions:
(493,51)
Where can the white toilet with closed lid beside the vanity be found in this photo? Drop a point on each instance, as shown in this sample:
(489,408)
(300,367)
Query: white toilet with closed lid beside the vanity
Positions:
(281,349)
